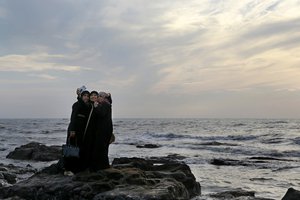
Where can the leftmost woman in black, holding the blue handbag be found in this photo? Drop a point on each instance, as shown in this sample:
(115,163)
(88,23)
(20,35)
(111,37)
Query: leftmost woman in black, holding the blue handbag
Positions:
(76,130)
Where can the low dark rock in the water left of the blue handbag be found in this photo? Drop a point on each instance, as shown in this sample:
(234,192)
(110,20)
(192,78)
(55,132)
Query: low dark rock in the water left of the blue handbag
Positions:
(36,151)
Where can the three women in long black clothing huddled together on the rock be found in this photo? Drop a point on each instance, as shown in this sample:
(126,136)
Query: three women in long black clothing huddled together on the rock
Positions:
(90,129)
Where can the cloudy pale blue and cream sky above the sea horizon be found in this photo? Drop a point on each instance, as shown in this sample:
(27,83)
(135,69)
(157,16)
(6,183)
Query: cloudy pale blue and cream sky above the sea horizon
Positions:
(171,58)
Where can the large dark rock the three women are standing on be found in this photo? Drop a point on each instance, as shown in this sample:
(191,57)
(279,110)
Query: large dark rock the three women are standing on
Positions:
(128,178)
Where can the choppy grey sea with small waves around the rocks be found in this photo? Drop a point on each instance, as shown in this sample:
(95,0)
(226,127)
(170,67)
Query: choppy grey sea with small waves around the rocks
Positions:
(265,152)
